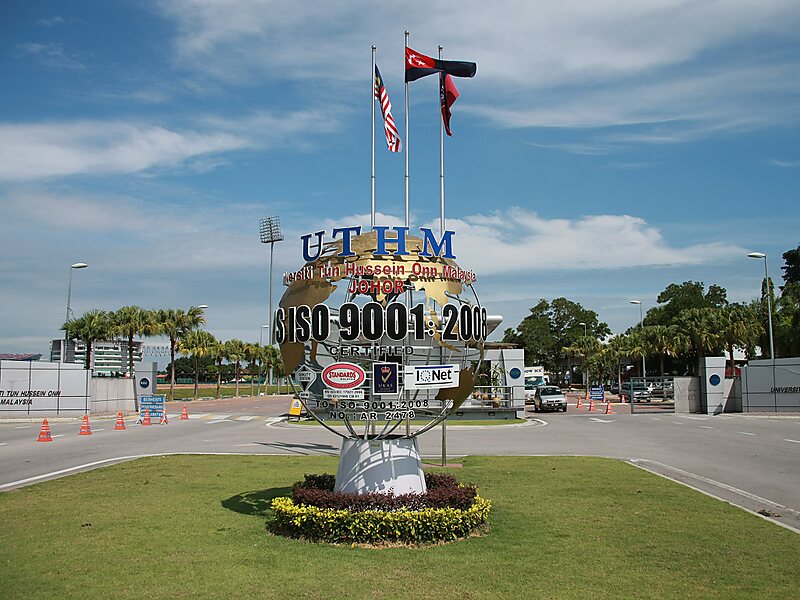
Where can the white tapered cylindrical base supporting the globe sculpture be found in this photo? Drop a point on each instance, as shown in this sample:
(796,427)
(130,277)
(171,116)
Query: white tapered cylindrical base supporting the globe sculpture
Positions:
(380,466)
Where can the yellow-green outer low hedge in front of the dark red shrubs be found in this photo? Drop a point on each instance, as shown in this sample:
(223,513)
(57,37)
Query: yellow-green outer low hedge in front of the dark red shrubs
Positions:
(376,526)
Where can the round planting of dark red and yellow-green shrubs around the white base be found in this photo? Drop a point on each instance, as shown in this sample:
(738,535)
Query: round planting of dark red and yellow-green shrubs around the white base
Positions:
(448,511)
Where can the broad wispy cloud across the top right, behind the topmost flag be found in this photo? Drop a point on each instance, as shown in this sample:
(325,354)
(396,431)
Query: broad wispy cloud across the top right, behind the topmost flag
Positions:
(553,63)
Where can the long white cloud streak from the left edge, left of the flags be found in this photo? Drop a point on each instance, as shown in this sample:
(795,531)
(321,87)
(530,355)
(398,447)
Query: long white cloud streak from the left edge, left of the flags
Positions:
(32,151)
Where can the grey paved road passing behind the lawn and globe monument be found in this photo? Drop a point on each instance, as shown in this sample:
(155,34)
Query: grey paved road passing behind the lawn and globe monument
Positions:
(751,461)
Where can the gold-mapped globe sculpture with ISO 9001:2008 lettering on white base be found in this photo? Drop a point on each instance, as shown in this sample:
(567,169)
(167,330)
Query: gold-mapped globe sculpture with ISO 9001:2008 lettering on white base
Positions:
(389,345)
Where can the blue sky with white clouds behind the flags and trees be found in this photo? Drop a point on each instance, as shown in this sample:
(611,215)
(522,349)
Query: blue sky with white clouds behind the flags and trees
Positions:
(603,151)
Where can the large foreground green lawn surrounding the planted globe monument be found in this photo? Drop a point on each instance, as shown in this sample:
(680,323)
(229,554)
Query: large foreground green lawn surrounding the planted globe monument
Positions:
(193,527)
